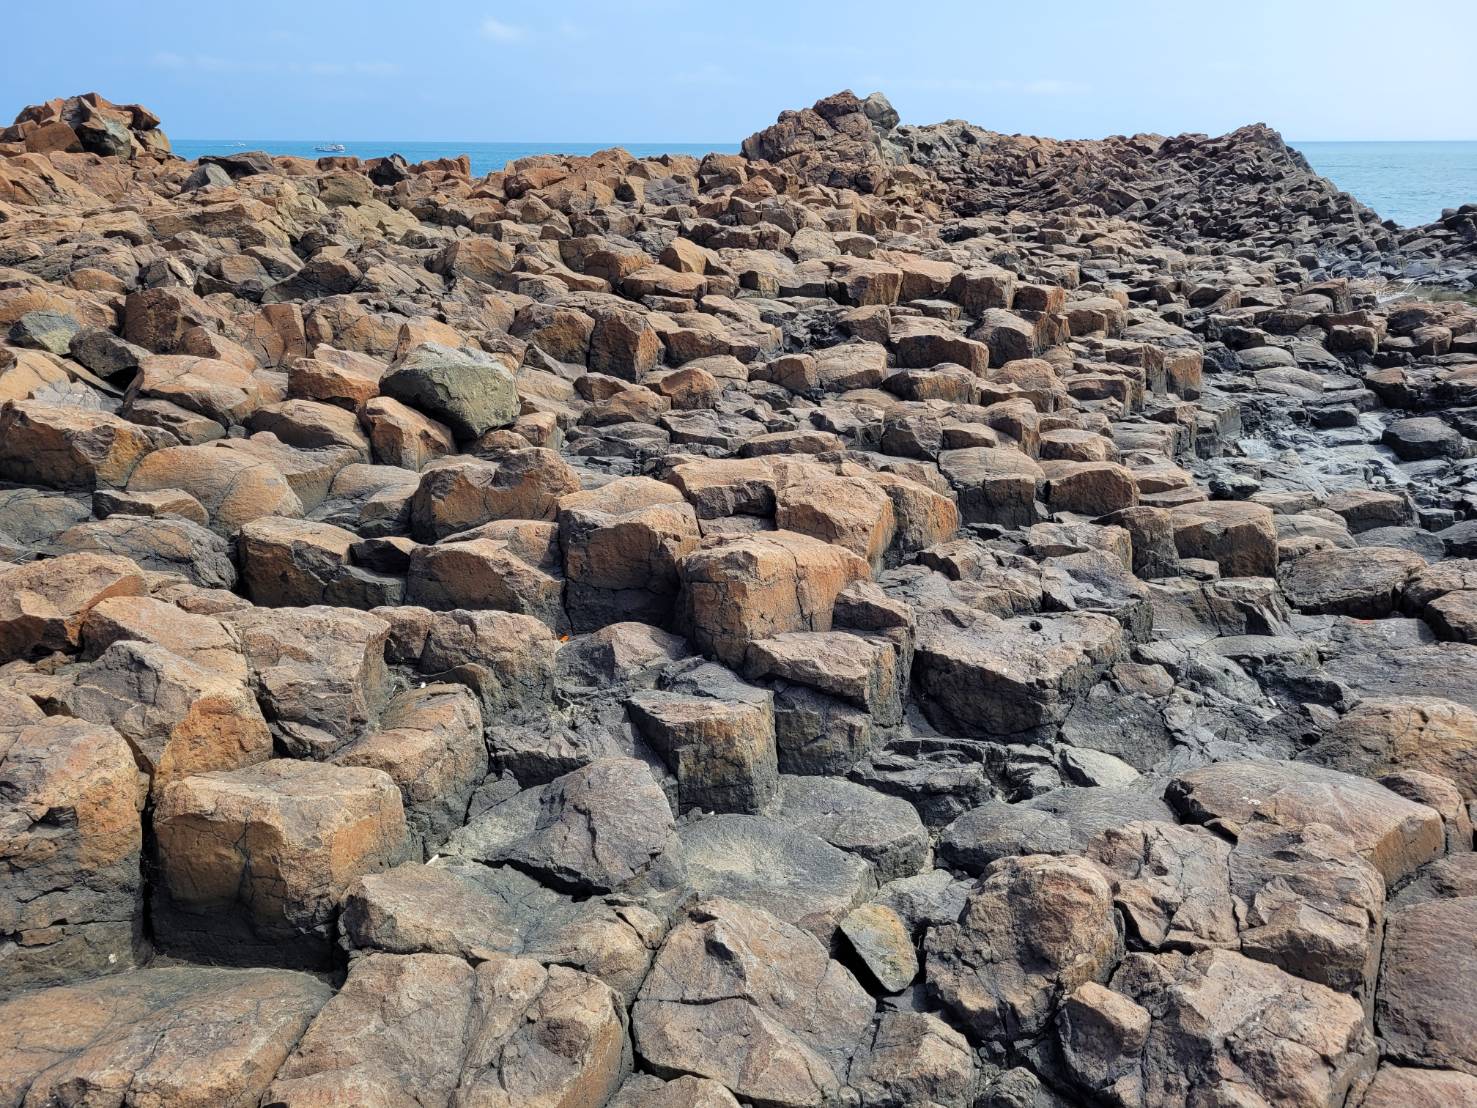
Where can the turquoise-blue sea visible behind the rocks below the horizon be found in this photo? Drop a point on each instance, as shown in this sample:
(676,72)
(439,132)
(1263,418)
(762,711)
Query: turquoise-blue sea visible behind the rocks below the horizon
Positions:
(1410,182)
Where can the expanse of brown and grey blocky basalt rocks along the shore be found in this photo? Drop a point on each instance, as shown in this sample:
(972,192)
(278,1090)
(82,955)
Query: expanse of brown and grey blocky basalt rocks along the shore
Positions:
(863,623)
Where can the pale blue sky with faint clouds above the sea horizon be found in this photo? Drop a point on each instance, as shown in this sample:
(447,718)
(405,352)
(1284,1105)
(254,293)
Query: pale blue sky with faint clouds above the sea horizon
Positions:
(659,70)
